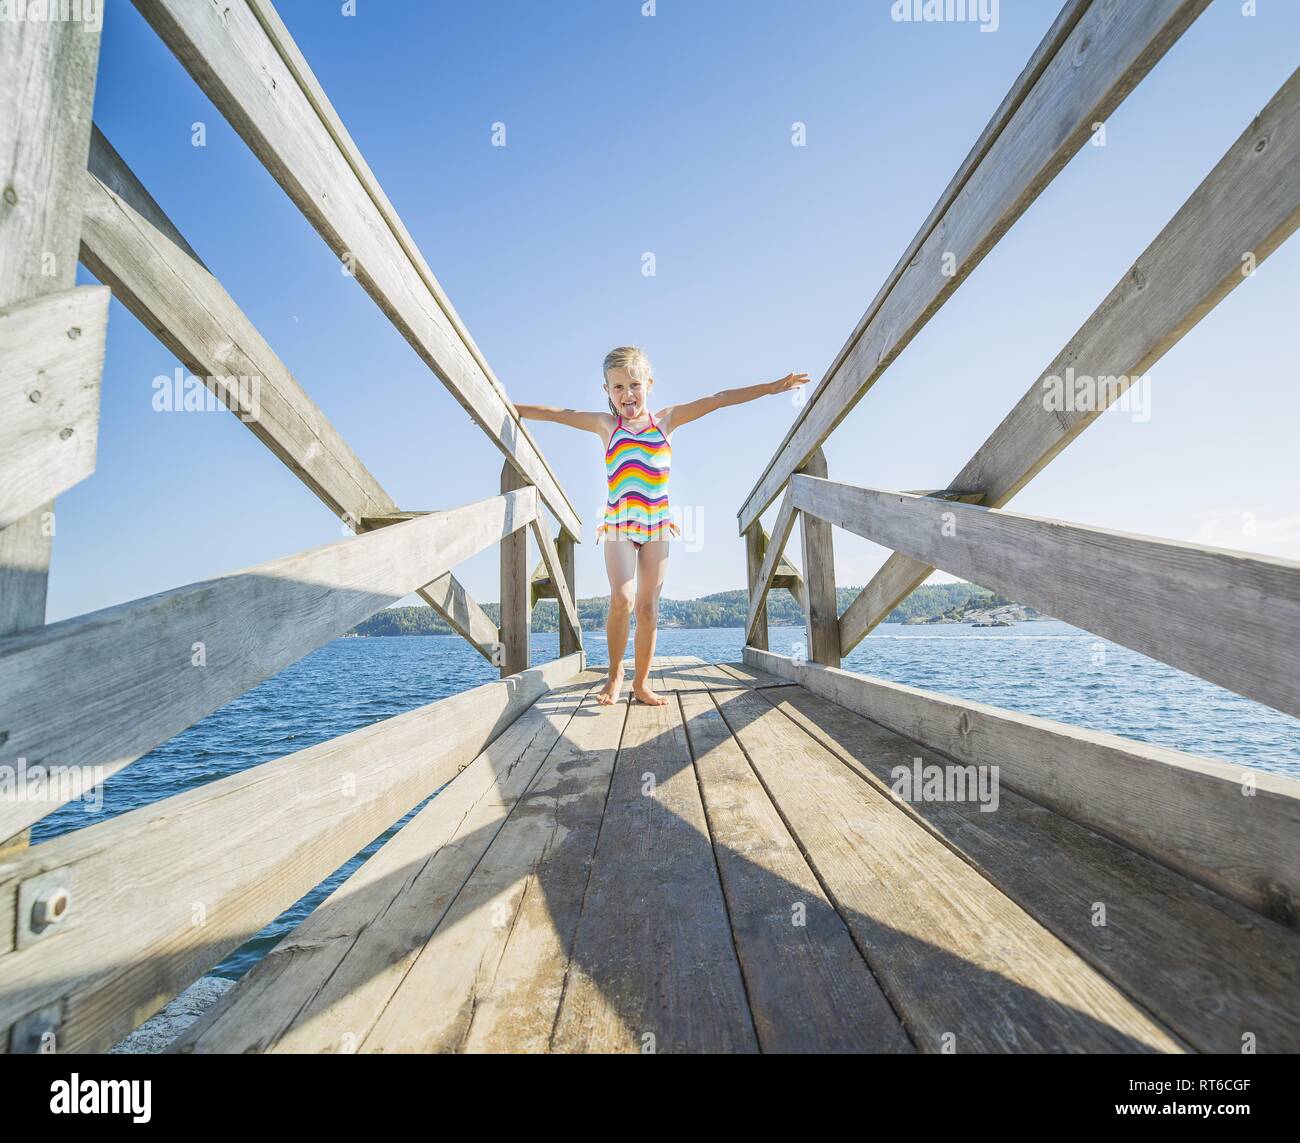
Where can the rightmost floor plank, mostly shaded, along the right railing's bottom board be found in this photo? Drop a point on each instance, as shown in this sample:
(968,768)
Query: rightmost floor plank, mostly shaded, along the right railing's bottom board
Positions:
(1207,967)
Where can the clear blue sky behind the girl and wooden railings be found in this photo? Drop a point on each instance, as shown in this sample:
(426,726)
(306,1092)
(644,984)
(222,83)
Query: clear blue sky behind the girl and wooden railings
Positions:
(673,135)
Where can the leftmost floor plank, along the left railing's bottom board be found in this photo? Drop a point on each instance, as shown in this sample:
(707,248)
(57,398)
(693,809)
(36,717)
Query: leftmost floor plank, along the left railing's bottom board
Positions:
(323,988)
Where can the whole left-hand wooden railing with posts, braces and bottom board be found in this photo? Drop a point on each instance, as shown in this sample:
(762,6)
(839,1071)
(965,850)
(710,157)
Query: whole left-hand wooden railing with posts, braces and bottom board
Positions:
(102,926)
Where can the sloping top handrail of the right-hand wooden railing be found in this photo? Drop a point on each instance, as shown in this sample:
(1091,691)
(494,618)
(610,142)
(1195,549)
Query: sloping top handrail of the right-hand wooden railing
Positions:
(1099,62)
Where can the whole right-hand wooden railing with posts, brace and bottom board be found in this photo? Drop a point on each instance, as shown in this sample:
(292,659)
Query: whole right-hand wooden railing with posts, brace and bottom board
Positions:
(1228,617)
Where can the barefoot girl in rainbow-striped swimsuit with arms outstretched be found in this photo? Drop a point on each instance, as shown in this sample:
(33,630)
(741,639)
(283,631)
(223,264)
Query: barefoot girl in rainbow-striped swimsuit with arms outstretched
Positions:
(636,529)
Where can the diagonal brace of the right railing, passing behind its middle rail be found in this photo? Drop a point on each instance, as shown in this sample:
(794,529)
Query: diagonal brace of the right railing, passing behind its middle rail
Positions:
(1245,209)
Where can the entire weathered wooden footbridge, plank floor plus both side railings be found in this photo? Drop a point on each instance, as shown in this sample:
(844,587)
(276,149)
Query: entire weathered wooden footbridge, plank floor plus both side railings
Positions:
(788,856)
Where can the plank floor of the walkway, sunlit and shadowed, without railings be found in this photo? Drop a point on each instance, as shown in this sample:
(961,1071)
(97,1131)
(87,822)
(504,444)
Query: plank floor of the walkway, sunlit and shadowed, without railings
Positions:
(730,873)
